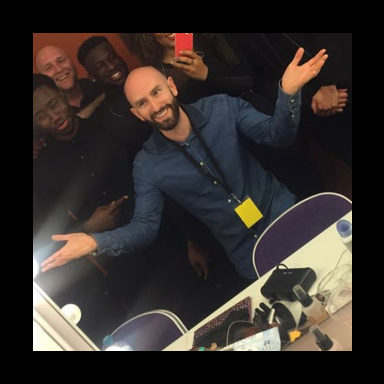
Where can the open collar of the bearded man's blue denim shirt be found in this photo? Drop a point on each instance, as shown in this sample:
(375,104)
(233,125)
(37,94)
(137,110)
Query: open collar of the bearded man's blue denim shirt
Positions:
(158,144)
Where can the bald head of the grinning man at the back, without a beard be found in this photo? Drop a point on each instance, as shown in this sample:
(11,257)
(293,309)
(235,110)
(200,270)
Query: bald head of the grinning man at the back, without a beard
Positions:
(55,63)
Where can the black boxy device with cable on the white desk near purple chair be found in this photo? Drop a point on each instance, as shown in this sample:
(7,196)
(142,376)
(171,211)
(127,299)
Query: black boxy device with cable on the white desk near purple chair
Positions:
(280,284)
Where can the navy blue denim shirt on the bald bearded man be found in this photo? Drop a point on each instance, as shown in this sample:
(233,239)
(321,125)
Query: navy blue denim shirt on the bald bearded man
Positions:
(161,169)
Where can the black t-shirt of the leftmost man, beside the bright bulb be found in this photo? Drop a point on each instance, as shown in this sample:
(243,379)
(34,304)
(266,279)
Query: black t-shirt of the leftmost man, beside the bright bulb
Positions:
(73,178)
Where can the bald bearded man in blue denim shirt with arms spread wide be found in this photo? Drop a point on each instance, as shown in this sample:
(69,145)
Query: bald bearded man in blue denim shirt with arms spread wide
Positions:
(195,156)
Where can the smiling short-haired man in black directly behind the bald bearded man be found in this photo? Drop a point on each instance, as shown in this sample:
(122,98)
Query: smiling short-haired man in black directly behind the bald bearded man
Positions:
(105,66)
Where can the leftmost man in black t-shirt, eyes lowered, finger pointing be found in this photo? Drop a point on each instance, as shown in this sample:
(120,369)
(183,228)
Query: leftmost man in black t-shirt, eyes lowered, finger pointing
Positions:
(82,172)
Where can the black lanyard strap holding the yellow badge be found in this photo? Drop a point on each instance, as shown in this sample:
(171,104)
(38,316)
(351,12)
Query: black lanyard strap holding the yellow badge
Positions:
(202,167)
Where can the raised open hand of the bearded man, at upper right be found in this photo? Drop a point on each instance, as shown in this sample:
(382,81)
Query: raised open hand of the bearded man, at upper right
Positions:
(296,75)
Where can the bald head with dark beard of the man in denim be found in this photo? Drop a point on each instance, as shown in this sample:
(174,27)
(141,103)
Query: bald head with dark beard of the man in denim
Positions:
(153,98)
